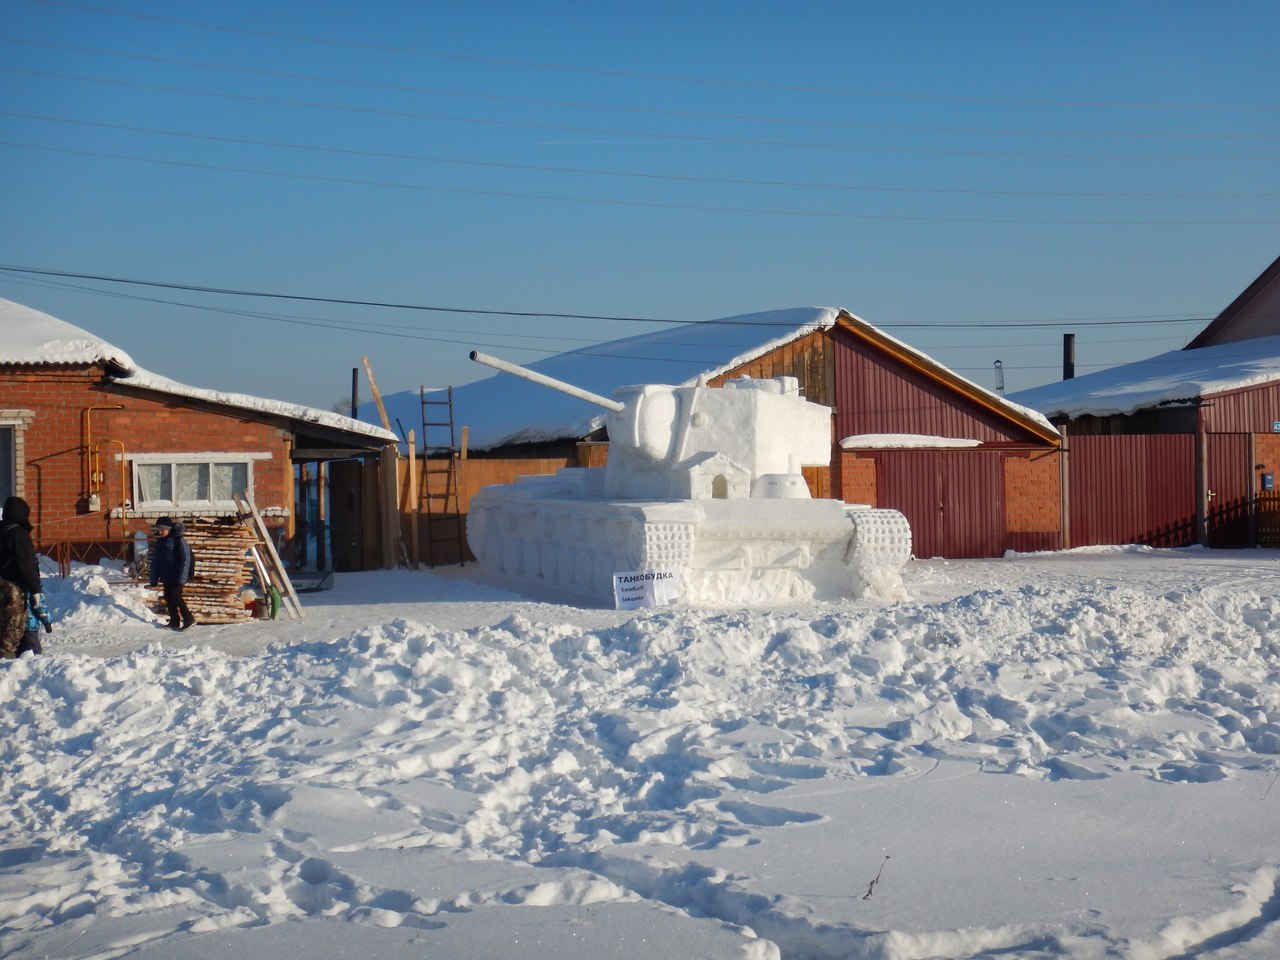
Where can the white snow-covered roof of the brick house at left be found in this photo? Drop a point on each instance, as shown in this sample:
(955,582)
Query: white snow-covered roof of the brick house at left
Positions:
(33,339)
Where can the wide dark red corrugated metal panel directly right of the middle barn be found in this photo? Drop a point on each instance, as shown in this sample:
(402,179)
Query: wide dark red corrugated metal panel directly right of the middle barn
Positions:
(1132,490)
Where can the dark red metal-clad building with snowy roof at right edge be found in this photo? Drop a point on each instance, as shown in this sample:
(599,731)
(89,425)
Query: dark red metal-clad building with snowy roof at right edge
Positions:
(1185,447)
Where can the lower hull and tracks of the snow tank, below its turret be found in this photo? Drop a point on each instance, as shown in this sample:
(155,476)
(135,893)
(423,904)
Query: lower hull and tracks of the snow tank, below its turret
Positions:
(552,534)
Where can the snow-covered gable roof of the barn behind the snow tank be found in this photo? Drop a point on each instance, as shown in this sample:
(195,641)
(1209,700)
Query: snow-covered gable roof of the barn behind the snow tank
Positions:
(505,409)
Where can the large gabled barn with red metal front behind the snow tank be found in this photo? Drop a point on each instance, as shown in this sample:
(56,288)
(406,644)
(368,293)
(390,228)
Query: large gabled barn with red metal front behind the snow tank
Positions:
(975,474)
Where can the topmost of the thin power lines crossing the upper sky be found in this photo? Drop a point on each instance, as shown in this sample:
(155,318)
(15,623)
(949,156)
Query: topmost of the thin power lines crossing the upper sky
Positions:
(634,75)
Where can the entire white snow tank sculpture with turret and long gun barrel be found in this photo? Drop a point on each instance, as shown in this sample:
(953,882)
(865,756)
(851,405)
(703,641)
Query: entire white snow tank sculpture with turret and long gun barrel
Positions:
(702,481)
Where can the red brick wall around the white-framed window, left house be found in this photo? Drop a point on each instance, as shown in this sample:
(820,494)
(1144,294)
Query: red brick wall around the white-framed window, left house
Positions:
(62,436)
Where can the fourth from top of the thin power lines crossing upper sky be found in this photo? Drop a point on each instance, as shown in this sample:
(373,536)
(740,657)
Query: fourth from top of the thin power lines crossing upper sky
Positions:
(675,179)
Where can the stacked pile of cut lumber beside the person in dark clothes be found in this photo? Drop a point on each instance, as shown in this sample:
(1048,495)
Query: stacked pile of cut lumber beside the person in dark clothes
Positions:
(225,568)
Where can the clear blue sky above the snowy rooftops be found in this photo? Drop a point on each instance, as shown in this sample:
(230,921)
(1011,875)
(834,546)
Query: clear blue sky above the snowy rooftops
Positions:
(979,179)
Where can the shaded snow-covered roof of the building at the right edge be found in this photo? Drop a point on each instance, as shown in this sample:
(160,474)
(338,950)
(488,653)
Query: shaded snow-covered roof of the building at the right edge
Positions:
(1178,376)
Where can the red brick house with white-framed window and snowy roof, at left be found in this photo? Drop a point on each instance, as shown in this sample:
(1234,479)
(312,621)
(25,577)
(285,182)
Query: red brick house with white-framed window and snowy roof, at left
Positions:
(100,447)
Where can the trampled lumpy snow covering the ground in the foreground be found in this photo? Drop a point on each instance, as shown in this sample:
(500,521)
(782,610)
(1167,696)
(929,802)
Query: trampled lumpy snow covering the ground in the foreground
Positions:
(1036,757)
